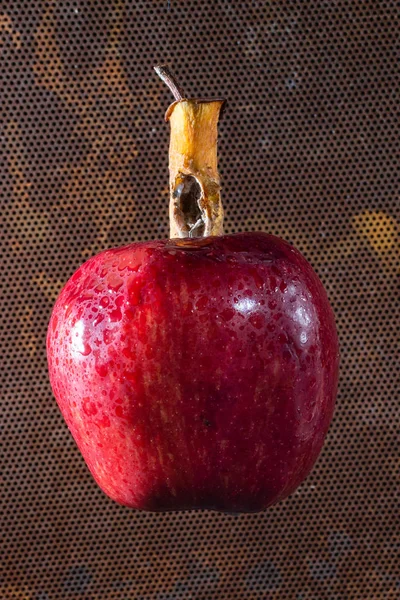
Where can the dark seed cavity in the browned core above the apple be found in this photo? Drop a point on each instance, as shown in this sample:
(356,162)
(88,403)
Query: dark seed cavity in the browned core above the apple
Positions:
(187,195)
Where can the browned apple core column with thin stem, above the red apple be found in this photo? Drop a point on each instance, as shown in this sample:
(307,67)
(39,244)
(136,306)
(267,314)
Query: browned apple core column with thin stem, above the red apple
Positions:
(195,201)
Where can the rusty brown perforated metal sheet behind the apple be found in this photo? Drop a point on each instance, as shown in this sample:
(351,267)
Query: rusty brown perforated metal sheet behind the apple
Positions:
(309,150)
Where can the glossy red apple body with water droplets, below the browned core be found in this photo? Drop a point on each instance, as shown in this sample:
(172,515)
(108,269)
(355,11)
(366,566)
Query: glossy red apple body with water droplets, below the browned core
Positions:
(196,373)
